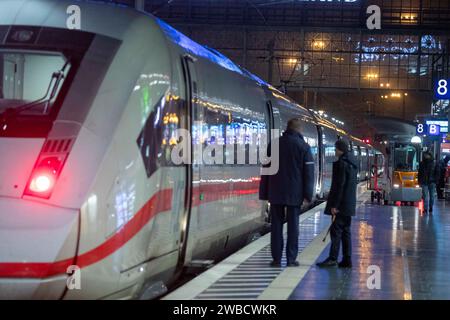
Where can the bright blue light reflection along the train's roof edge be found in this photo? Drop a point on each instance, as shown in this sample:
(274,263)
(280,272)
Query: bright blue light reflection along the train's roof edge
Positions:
(207,53)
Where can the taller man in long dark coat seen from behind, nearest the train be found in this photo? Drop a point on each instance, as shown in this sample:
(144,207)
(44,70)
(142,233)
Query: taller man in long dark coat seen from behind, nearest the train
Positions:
(287,190)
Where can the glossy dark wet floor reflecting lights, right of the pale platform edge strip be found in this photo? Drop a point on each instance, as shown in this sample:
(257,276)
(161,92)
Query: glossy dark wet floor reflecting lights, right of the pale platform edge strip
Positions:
(412,251)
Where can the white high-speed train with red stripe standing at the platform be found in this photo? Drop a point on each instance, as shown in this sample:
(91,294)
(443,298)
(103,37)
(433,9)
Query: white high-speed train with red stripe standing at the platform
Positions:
(87,119)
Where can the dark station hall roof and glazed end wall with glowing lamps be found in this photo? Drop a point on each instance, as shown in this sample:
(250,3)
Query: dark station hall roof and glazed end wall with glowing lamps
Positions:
(322,54)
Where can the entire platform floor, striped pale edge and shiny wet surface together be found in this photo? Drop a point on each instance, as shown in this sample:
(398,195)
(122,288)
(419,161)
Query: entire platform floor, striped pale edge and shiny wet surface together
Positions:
(399,253)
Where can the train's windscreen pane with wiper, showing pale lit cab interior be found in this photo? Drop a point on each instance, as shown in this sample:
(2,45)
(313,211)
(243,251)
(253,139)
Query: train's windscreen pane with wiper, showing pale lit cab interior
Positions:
(30,81)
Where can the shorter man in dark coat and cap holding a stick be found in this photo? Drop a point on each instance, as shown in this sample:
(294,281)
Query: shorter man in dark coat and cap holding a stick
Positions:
(341,206)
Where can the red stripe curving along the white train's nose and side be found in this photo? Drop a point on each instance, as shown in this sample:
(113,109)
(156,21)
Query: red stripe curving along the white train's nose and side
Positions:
(158,203)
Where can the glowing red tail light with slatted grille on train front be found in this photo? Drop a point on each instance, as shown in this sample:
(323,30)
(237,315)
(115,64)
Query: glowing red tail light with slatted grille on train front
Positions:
(48,168)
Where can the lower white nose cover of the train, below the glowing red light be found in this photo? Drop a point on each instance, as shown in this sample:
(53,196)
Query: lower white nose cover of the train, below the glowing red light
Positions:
(37,245)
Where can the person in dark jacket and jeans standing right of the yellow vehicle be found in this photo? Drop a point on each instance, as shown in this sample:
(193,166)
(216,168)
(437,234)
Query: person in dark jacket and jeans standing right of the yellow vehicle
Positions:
(428,177)
